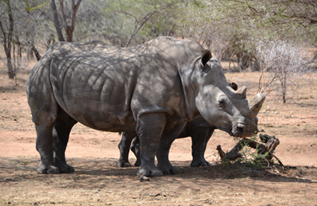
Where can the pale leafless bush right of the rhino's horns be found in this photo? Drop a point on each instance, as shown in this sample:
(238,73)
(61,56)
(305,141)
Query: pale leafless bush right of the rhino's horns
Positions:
(282,65)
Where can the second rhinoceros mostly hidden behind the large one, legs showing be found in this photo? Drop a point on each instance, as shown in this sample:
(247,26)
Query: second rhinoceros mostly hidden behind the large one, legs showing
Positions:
(198,129)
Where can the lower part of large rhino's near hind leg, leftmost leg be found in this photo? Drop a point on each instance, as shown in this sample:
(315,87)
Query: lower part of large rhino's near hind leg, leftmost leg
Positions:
(44,146)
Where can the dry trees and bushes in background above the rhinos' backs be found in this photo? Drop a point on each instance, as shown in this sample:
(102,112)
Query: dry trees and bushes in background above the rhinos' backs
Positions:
(246,32)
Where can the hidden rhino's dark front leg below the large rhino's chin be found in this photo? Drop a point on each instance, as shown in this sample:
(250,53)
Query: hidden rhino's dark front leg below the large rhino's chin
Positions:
(200,137)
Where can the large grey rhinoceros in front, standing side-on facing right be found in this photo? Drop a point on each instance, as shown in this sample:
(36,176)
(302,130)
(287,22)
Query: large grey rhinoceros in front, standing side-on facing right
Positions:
(149,89)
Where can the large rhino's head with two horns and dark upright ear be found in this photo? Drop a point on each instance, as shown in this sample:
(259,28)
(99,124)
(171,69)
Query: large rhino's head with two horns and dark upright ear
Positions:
(220,105)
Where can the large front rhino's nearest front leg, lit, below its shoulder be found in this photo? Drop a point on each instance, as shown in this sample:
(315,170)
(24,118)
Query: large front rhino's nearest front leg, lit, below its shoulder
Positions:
(149,129)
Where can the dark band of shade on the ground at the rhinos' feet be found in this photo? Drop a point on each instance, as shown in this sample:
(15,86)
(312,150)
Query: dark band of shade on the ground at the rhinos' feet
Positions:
(104,170)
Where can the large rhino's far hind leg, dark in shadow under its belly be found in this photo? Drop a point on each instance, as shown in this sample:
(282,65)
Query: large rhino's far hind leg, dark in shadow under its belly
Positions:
(62,127)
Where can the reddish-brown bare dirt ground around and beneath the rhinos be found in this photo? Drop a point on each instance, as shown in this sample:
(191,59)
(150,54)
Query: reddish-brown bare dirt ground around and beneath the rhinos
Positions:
(98,181)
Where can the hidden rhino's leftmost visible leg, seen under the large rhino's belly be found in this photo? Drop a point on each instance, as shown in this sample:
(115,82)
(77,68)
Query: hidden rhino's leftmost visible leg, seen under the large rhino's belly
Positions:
(124,147)
